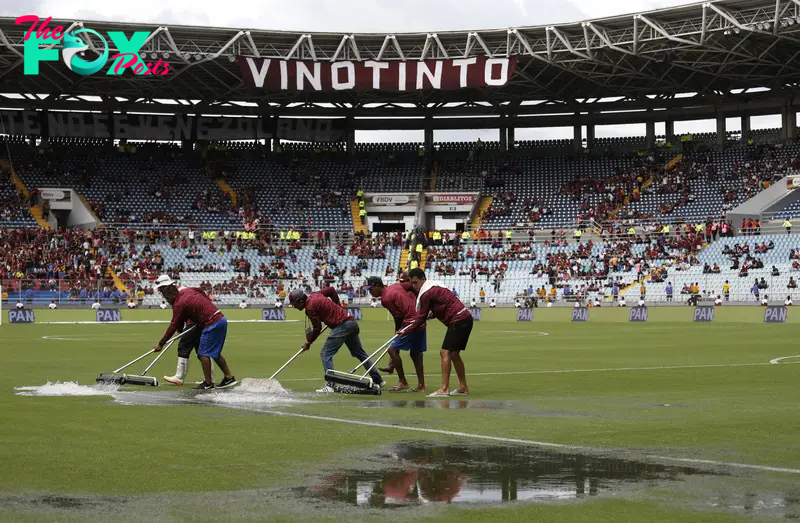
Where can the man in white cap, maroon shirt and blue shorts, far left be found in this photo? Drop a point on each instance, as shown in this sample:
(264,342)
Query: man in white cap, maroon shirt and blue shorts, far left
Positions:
(190,304)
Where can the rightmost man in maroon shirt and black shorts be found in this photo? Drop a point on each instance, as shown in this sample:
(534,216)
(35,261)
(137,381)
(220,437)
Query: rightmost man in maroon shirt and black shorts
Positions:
(435,298)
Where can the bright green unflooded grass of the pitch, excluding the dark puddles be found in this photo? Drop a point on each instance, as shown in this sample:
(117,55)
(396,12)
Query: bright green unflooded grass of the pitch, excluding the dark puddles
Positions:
(724,402)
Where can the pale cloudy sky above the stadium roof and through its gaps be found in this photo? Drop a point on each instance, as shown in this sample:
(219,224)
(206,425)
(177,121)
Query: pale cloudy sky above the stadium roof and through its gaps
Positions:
(374,16)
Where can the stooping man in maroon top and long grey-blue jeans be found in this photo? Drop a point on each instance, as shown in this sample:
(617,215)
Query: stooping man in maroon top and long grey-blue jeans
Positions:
(323,307)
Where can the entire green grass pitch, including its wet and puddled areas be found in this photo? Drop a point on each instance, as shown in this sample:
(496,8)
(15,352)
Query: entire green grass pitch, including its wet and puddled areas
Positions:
(679,421)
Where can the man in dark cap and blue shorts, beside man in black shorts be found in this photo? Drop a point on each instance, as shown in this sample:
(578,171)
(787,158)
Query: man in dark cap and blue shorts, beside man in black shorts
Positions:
(401,304)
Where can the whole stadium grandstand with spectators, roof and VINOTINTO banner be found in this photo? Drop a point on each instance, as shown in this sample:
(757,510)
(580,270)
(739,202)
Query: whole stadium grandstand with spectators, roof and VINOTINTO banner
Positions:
(236,168)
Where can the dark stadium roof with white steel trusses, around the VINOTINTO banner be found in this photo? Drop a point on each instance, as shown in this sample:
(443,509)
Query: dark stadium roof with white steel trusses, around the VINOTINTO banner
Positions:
(709,48)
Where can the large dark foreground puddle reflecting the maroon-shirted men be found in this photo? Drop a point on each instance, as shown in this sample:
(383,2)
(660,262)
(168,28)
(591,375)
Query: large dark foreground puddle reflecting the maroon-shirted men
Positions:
(422,473)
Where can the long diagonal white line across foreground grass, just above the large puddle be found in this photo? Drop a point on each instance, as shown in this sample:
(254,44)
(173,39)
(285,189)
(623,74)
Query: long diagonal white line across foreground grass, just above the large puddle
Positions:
(518,441)
